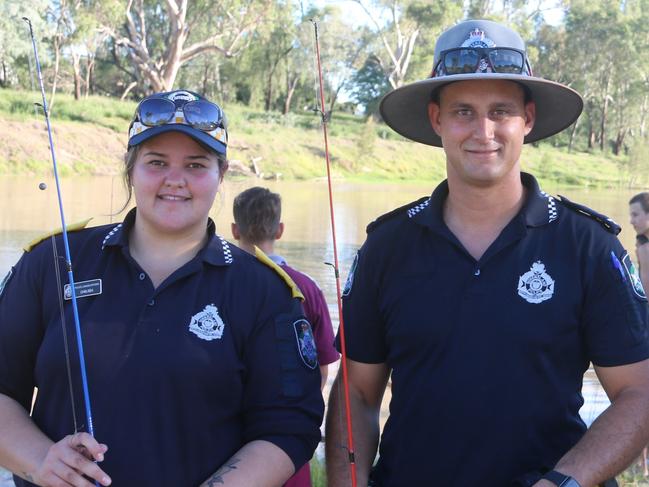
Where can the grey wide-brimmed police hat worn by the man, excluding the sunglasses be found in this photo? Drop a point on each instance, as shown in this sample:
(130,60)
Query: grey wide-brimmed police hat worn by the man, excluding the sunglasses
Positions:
(405,109)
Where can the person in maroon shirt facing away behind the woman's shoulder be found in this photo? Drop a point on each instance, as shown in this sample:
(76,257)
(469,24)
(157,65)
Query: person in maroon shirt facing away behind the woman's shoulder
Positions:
(257,214)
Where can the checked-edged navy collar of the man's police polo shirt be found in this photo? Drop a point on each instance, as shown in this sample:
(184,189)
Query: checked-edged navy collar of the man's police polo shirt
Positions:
(539,208)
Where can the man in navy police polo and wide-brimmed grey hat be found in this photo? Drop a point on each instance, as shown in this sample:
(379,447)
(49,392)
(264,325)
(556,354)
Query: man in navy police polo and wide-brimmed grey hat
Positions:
(486,302)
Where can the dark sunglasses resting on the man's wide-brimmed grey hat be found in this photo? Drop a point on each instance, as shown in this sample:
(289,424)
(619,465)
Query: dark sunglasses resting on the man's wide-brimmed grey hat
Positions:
(465,60)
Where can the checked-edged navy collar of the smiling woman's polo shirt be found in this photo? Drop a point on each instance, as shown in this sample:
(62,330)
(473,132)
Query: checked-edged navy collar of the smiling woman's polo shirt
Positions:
(217,251)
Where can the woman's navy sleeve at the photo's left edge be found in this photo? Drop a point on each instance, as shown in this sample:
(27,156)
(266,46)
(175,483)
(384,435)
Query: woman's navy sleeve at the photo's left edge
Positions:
(20,329)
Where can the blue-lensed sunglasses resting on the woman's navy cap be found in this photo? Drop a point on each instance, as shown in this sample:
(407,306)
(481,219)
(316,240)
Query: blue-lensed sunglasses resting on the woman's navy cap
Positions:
(200,114)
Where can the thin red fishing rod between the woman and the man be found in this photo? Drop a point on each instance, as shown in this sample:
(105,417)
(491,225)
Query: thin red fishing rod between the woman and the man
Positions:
(341,325)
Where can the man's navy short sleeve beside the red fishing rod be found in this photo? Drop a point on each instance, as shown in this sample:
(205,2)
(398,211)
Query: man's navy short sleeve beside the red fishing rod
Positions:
(364,327)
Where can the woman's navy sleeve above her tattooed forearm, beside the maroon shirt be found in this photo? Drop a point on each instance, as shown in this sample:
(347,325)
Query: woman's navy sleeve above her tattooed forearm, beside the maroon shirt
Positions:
(282,399)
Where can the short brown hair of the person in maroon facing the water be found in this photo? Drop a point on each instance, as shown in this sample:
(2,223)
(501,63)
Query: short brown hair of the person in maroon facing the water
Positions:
(257,212)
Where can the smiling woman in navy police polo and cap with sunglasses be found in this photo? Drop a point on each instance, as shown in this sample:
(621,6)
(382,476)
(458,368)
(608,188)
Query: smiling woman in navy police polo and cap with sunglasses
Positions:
(194,372)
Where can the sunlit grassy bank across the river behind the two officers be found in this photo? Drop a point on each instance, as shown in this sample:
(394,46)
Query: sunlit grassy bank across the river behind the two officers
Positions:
(90,138)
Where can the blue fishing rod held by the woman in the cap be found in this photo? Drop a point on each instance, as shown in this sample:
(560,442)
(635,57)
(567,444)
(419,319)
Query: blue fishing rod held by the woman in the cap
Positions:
(68,260)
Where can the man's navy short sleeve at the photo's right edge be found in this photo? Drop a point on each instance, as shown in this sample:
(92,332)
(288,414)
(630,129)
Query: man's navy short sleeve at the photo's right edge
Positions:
(616,315)
